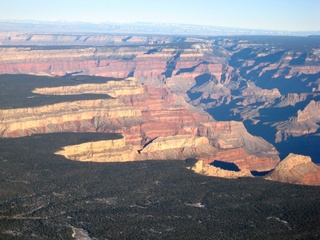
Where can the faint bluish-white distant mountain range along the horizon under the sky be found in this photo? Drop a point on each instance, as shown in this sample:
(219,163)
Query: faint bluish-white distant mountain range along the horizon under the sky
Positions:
(139,28)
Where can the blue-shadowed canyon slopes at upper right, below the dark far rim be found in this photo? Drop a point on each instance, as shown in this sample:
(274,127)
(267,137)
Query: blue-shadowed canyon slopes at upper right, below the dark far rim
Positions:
(288,57)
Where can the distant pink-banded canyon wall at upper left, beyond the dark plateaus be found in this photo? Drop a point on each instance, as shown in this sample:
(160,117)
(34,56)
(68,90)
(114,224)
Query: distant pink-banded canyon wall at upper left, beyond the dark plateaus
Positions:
(98,61)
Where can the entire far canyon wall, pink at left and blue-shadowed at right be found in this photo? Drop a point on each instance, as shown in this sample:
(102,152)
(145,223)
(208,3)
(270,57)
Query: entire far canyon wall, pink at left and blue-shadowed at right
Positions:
(211,72)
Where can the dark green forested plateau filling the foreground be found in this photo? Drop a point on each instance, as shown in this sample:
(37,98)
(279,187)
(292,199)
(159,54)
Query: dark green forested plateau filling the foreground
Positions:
(42,195)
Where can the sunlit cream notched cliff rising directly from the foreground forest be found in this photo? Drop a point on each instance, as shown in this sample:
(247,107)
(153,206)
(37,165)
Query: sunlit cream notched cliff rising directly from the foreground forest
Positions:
(163,148)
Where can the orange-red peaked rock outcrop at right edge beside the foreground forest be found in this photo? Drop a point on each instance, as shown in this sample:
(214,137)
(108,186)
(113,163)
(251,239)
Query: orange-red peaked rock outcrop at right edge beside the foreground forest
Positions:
(296,169)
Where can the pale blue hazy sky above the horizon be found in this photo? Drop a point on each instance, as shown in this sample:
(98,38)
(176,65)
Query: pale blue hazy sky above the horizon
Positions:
(290,15)
